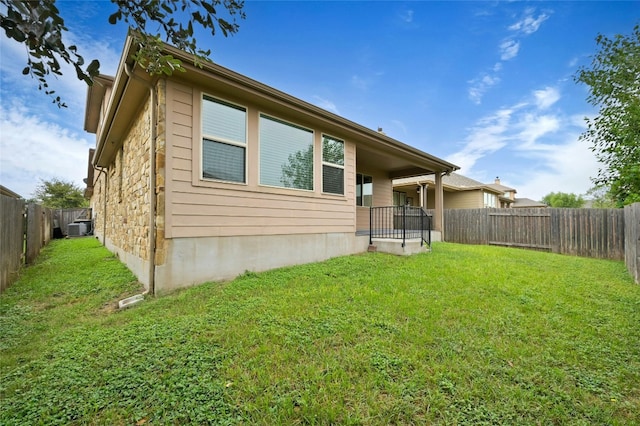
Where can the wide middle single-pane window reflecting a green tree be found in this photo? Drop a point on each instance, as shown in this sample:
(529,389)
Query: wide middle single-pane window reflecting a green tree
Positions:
(286,154)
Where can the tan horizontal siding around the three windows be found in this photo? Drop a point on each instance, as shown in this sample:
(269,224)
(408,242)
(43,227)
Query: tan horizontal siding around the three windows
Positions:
(206,208)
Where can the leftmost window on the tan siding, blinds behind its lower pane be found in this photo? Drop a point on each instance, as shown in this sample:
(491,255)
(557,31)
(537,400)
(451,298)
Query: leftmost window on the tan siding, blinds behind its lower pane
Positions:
(224,135)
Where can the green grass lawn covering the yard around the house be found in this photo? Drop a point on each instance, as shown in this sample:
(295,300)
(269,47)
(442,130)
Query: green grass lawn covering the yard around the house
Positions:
(462,335)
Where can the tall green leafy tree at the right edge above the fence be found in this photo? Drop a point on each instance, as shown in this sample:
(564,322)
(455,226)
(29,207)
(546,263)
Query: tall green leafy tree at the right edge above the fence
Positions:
(614,84)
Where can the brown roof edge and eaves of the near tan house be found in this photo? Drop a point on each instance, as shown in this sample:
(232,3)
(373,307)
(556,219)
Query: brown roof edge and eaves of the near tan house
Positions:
(132,84)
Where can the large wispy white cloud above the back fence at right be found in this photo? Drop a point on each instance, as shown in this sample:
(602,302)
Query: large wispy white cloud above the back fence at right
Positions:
(548,153)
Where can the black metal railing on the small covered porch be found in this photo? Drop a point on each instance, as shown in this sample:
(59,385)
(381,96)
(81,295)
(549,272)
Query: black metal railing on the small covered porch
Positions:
(400,223)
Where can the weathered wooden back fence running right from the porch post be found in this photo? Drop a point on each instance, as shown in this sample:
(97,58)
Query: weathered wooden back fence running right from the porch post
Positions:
(598,233)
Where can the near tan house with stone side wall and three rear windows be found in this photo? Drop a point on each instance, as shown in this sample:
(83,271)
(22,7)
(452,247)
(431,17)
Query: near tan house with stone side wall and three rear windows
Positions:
(207,173)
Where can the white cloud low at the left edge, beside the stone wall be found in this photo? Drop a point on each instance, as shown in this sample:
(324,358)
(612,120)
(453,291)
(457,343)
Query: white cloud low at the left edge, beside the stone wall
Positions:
(33,149)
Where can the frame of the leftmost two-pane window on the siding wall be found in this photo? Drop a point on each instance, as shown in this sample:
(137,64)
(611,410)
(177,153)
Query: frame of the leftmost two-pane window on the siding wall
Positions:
(223,140)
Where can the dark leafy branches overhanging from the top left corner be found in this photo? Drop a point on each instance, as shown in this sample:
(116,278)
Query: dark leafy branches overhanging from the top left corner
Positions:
(40,27)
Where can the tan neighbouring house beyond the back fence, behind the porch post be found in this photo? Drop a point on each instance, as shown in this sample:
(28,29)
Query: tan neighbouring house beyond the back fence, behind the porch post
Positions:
(460,192)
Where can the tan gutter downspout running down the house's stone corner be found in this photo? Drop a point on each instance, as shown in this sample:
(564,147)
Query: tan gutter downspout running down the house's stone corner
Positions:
(152,178)
